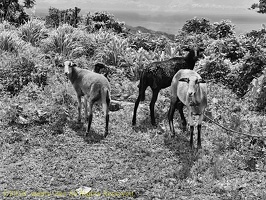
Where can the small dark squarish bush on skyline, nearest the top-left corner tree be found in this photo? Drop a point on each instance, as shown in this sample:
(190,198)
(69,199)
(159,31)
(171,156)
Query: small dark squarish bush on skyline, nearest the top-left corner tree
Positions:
(56,17)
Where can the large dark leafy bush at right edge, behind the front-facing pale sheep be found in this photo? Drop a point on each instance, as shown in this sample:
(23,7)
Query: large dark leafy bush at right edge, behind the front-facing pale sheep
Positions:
(234,62)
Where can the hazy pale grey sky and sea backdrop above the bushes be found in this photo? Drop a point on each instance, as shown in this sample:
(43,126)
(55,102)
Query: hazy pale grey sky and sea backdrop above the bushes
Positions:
(167,15)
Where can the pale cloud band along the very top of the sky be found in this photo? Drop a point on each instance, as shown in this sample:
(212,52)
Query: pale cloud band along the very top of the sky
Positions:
(140,6)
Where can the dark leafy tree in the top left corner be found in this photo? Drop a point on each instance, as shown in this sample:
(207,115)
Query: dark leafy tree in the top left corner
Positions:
(13,10)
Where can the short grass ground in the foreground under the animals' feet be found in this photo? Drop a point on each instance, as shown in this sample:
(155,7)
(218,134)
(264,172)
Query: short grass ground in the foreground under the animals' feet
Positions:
(139,162)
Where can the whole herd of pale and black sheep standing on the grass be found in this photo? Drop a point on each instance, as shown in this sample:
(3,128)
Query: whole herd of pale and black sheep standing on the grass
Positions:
(187,89)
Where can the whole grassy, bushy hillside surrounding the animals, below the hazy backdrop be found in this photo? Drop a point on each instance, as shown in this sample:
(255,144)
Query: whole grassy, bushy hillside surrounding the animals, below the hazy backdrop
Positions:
(44,151)
